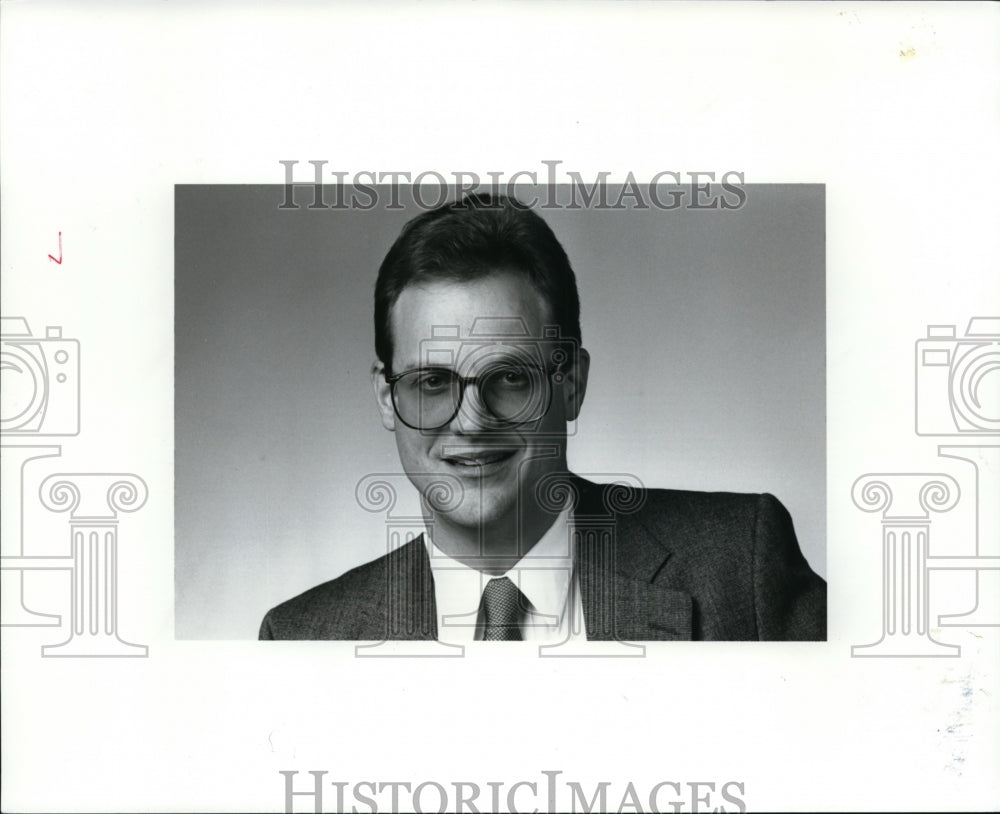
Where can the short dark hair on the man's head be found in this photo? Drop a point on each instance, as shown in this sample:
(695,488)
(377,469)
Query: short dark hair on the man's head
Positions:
(468,240)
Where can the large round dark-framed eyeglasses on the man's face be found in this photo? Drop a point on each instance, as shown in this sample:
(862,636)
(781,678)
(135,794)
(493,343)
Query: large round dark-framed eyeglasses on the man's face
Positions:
(508,395)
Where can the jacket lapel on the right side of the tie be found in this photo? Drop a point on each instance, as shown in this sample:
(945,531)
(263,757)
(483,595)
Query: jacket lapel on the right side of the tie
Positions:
(618,561)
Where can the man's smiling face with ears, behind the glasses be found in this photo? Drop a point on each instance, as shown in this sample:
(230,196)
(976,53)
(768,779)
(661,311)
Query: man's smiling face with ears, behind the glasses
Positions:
(493,462)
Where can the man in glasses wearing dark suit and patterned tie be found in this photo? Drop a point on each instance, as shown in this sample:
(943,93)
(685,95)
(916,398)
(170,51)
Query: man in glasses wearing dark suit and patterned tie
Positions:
(480,368)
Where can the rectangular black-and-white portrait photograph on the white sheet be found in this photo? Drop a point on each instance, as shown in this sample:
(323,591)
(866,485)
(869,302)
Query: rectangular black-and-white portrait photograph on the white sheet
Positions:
(691,402)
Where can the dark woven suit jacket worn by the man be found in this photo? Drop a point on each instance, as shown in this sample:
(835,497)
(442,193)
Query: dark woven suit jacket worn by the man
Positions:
(653,565)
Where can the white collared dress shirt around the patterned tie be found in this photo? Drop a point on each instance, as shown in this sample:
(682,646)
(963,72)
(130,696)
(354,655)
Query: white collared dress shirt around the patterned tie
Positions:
(545,576)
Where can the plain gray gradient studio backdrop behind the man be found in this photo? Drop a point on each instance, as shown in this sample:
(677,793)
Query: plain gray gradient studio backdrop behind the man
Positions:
(706,330)
